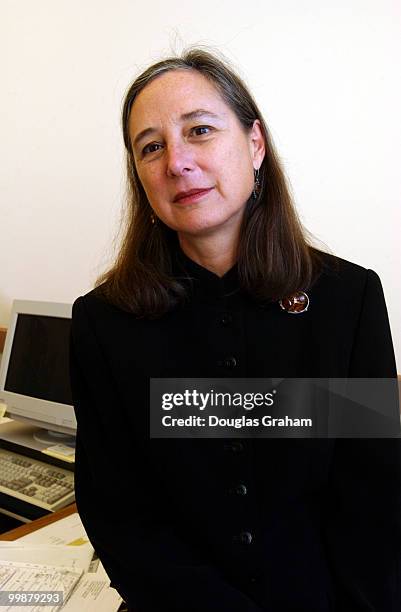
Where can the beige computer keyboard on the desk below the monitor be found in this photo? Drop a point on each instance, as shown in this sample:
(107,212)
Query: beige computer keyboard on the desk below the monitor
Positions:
(35,482)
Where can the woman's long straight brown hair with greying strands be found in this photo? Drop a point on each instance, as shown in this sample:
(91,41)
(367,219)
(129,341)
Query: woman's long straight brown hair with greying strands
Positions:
(274,256)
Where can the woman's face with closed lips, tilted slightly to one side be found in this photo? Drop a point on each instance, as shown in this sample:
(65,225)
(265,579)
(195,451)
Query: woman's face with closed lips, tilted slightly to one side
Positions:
(185,137)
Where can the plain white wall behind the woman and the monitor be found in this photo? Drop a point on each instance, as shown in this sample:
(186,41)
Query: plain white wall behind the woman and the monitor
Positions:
(325,74)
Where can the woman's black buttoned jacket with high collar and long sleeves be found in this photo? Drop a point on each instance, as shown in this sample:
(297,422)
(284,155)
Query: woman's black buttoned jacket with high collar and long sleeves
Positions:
(319,527)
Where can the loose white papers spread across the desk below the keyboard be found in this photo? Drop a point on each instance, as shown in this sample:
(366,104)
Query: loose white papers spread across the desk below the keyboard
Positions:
(58,557)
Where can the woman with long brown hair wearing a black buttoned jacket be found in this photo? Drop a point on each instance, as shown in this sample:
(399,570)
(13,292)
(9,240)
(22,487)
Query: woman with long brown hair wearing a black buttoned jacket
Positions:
(216,279)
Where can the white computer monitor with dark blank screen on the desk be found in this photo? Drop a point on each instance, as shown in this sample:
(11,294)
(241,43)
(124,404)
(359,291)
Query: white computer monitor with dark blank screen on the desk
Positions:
(34,373)
